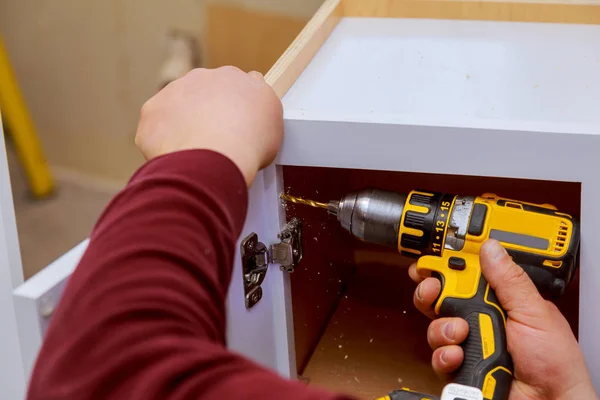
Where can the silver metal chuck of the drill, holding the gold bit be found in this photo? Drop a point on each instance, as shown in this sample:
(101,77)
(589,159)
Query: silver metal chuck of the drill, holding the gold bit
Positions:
(371,215)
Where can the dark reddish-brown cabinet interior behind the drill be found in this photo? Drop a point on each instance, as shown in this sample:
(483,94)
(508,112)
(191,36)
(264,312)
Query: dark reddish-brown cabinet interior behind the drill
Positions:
(356,329)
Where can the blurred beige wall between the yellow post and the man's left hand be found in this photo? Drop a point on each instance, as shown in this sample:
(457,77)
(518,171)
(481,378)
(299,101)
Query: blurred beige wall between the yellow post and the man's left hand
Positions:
(85,67)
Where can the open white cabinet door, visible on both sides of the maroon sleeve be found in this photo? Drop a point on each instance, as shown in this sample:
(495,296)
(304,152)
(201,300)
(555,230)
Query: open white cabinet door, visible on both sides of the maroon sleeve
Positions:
(260,333)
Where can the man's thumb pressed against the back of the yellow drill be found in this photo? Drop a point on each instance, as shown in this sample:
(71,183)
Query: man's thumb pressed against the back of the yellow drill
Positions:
(512,285)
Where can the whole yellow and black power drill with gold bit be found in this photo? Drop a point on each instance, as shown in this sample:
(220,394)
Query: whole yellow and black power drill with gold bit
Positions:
(445,233)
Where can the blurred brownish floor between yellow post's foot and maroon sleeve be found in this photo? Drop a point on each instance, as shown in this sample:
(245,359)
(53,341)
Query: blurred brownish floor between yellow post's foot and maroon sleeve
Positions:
(48,228)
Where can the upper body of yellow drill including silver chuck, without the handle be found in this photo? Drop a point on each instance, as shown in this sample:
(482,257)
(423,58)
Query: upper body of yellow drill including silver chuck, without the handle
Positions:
(542,240)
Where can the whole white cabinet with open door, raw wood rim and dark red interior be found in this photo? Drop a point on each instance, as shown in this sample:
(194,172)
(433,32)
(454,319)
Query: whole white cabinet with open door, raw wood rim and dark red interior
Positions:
(485,100)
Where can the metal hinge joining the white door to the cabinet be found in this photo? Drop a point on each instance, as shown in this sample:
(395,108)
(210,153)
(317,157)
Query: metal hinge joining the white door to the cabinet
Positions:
(256,258)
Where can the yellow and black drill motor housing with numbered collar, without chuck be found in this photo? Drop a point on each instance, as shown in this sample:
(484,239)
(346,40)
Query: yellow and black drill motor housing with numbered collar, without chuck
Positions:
(542,240)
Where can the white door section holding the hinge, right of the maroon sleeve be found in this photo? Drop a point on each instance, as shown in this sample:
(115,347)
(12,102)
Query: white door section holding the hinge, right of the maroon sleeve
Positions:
(263,332)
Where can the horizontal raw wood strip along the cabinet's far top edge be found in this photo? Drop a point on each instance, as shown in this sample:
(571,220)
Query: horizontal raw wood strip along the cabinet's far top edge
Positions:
(560,11)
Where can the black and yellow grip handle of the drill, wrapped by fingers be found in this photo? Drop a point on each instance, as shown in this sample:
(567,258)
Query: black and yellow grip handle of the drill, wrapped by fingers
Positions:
(487,364)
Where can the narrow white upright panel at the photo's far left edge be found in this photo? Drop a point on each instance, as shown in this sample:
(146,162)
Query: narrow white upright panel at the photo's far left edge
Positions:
(12,377)
